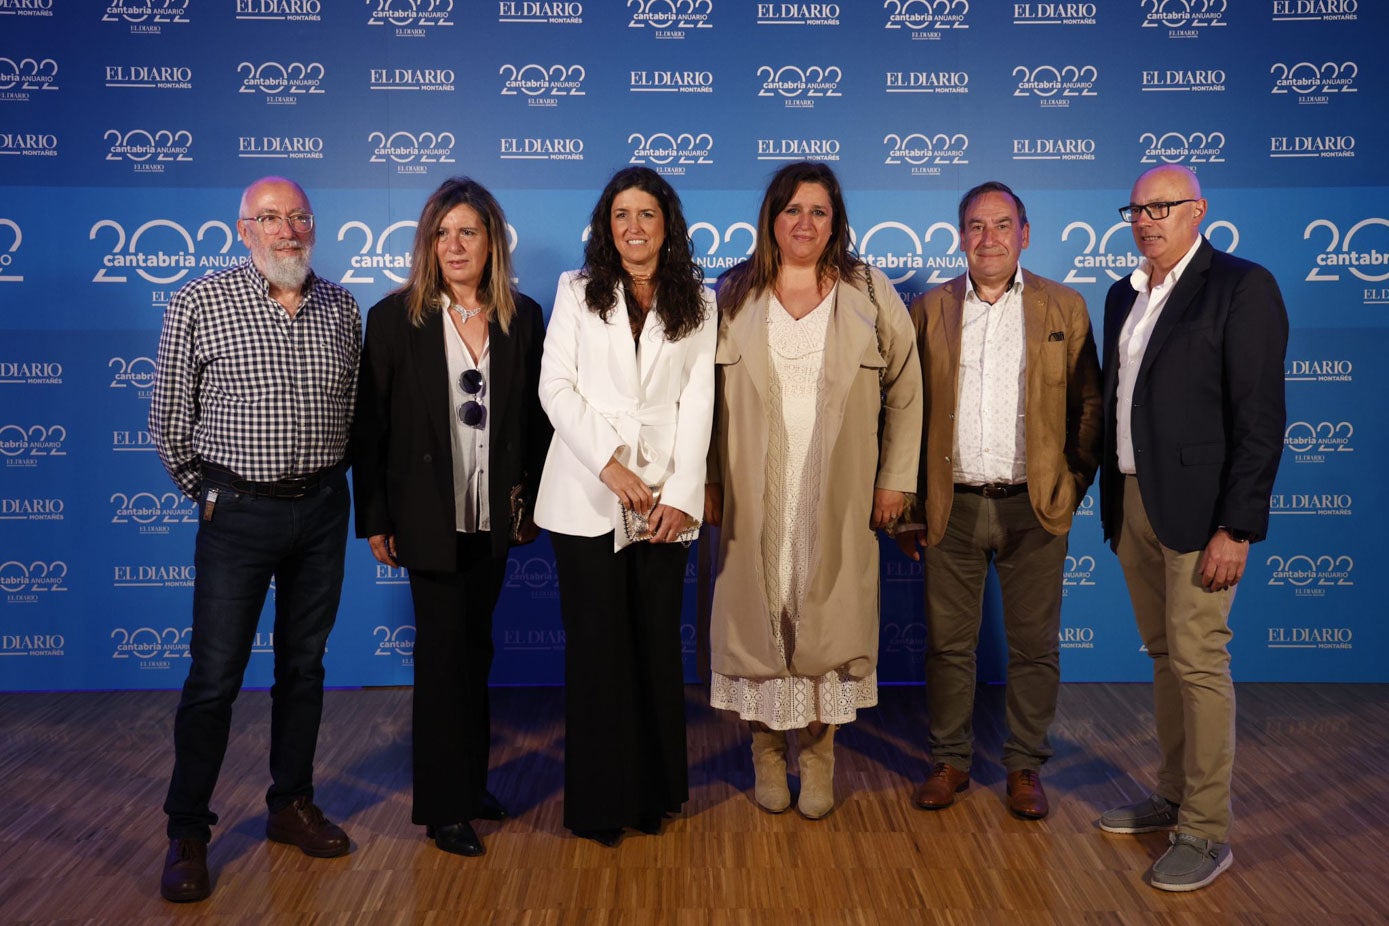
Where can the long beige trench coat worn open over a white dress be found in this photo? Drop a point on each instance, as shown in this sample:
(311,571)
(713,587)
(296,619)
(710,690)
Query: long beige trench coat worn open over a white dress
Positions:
(870,366)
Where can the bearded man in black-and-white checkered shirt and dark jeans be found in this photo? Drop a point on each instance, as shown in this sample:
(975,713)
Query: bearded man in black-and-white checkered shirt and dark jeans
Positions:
(253,402)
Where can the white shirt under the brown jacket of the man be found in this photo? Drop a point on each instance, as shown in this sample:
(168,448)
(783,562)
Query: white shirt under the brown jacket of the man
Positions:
(991,439)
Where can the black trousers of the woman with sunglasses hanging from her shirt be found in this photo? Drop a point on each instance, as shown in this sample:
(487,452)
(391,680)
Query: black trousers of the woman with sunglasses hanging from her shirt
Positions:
(452,724)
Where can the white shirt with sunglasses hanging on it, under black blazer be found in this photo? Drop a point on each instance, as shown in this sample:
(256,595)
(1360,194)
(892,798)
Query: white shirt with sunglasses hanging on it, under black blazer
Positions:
(470,445)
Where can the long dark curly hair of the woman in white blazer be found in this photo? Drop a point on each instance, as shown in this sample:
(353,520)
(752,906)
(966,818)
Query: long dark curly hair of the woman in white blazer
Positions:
(679,278)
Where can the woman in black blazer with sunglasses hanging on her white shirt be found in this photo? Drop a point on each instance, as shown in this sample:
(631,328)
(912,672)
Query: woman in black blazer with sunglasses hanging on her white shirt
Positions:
(448,449)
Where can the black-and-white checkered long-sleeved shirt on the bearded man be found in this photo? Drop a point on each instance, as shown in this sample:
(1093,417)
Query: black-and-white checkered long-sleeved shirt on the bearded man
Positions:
(244,385)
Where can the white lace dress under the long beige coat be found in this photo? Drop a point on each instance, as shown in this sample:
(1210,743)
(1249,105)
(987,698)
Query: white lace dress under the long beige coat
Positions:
(795,452)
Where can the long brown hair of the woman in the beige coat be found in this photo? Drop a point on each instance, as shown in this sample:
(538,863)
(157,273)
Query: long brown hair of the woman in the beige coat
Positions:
(759,273)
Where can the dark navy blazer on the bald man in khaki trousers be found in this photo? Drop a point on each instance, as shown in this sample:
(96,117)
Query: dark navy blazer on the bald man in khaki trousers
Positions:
(1208,406)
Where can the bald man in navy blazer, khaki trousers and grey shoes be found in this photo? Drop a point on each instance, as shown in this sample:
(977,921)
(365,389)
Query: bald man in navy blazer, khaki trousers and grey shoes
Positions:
(1194,403)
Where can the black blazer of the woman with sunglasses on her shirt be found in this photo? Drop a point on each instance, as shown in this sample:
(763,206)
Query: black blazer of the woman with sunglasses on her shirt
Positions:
(402,452)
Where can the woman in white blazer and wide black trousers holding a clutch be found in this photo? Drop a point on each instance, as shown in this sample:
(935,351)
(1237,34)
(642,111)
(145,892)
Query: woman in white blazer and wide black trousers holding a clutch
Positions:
(629,384)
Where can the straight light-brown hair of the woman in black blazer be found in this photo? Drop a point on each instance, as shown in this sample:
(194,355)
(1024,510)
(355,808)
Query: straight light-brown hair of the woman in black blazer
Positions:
(424,288)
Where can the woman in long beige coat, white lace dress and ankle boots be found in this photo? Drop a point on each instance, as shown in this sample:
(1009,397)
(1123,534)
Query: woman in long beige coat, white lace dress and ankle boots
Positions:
(817,432)
